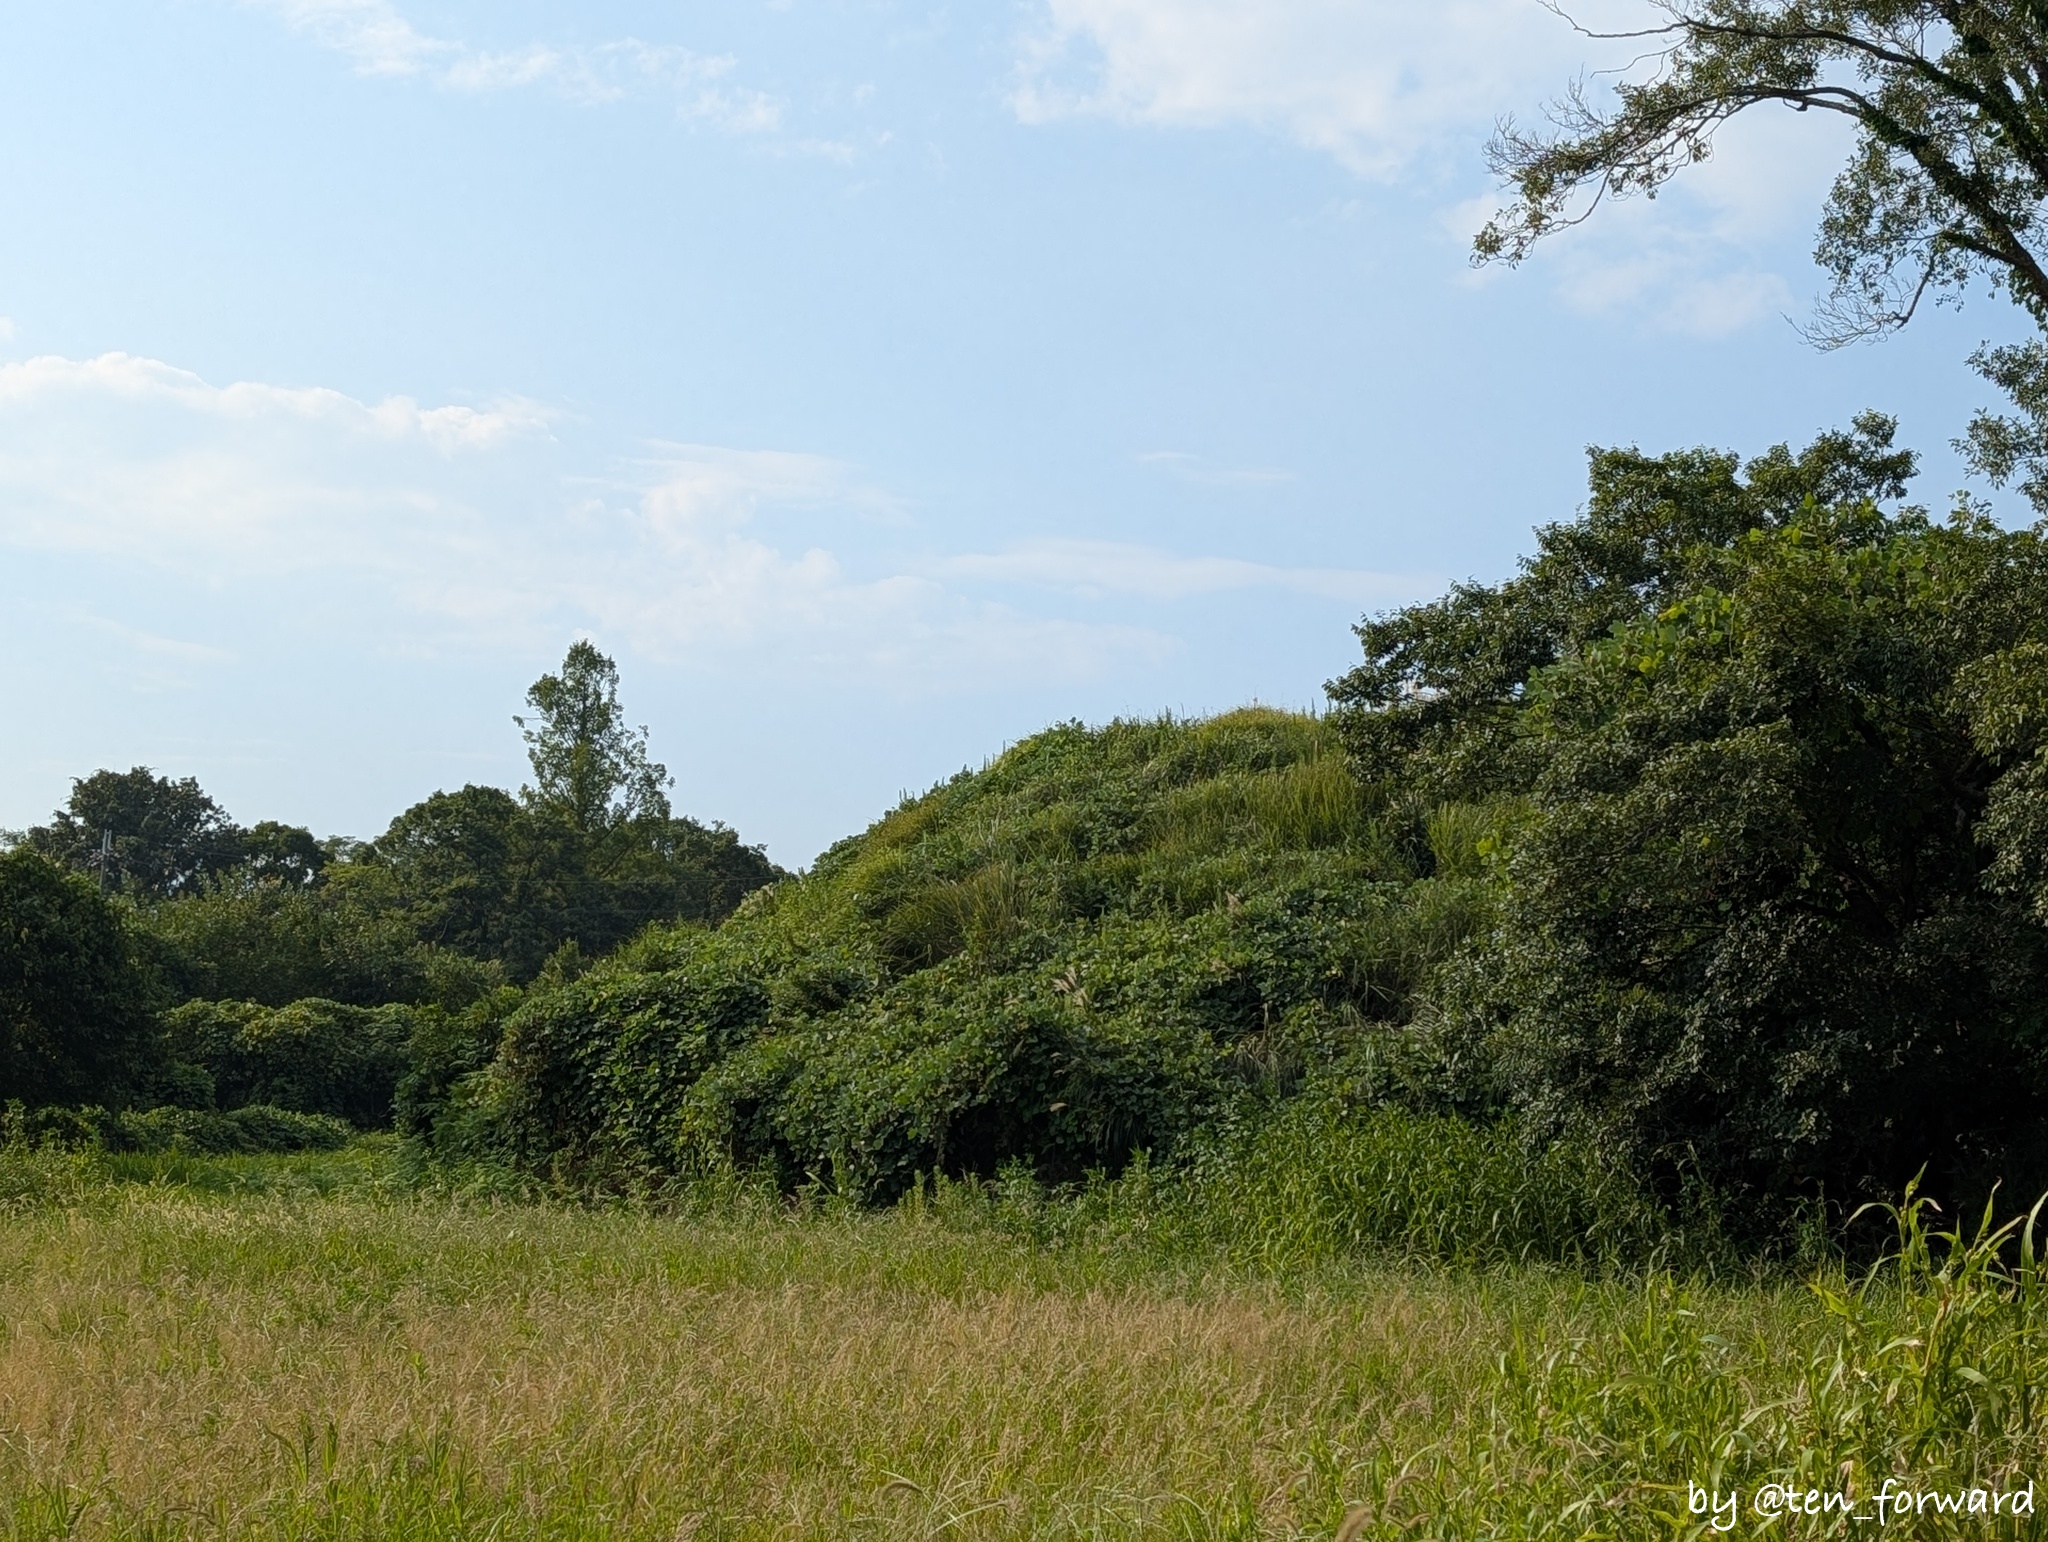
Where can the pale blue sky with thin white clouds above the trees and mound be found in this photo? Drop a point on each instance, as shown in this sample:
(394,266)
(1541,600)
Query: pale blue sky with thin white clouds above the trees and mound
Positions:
(876,382)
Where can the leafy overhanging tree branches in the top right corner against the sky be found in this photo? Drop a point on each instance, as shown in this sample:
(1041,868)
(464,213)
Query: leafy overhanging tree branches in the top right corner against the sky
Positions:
(1947,185)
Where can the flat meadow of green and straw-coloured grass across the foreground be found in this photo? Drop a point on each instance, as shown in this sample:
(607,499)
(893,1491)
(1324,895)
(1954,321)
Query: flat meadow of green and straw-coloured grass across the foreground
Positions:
(312,1348)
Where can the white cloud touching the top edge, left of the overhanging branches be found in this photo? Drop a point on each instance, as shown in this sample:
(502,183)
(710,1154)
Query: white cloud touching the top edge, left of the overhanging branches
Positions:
(1371,83)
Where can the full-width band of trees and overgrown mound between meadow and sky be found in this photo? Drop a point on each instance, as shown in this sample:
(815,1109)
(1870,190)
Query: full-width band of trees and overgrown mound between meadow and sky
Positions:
(1707,857)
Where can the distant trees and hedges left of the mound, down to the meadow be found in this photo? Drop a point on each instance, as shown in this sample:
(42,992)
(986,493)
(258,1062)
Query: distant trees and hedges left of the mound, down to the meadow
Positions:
(153,951)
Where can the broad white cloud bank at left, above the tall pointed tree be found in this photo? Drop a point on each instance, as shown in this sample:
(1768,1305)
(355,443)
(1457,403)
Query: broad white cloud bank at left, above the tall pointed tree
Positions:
(460,525)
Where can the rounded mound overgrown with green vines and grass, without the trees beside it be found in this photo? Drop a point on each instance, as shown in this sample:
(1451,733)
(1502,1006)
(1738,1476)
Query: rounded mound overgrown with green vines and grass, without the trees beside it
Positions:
(1097,945)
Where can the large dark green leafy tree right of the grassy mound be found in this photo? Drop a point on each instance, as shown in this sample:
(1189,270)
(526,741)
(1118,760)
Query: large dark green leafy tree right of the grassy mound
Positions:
(1760,767)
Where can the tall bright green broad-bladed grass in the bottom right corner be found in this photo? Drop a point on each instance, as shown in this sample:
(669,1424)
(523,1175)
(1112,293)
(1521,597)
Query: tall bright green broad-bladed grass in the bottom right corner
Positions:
(1920,1383)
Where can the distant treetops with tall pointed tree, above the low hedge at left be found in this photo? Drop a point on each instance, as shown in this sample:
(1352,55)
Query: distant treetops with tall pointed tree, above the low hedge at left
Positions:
(460,894)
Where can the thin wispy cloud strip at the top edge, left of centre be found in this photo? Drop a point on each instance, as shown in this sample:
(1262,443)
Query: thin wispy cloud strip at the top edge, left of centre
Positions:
(378,38)
